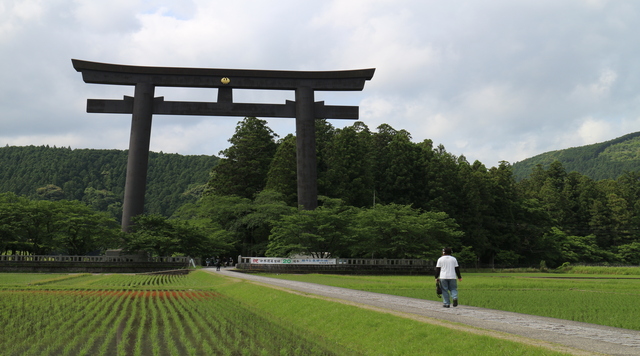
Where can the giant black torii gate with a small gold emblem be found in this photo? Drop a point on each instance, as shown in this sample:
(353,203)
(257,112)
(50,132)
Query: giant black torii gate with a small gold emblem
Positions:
(143,105)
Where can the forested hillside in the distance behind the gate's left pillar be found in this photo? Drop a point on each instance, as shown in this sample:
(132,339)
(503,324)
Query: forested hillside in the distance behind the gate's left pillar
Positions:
(97,177)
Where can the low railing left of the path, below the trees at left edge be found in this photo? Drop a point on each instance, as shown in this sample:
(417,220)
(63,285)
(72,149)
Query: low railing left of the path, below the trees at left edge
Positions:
(91,259)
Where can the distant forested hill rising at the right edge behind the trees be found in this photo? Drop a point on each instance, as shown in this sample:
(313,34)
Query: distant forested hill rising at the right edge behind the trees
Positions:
(605,160)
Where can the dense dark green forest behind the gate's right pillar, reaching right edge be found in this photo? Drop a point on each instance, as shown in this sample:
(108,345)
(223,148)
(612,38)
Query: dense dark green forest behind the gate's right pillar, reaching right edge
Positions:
(384,196)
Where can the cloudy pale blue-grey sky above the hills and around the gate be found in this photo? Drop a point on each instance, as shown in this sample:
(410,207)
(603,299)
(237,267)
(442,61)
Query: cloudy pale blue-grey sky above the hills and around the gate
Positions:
(492,80)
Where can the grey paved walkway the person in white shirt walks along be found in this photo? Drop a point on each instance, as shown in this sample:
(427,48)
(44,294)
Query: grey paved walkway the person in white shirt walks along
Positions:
(573,337)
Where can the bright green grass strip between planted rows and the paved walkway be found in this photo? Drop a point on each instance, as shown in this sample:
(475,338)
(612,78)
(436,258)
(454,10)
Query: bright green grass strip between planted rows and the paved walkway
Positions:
(366,331)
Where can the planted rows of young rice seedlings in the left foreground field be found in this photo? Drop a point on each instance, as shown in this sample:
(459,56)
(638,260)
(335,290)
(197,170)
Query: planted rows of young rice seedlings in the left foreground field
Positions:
(147,322)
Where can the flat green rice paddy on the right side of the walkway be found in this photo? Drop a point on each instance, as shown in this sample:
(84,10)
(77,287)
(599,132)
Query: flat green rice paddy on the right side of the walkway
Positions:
(586,295)
